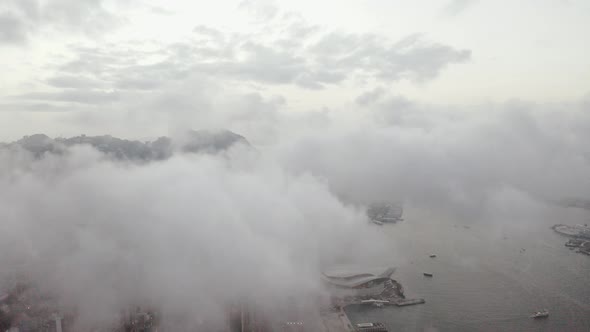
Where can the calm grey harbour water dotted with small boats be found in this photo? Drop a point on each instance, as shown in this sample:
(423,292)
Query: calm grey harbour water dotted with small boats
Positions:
(487,276)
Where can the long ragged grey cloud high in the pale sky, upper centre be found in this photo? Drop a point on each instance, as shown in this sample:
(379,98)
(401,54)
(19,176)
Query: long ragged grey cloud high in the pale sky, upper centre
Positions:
(299,53)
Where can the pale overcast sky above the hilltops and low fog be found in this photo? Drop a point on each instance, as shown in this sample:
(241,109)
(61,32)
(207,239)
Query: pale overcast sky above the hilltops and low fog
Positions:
(140,68)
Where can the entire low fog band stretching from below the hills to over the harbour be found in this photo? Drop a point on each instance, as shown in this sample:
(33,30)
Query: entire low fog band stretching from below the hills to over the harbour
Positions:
(196,232)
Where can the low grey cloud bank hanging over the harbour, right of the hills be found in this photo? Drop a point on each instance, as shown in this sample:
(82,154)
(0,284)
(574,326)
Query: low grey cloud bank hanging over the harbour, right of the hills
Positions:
(452,159)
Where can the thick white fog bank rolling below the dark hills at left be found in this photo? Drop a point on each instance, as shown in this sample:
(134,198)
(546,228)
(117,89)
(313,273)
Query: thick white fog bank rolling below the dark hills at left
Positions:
(189,235)
